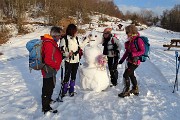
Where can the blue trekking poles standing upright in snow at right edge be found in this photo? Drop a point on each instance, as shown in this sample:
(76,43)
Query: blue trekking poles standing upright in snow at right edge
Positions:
(177,70)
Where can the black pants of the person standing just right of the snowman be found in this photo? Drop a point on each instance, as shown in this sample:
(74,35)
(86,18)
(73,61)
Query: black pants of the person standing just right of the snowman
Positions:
(112,64)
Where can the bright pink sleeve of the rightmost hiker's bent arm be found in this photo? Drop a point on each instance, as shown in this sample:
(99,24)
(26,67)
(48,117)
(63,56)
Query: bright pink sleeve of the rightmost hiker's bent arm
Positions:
(141,48)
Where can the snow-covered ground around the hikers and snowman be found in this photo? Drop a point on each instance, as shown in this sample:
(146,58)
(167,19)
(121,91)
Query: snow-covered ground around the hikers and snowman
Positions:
(20,90)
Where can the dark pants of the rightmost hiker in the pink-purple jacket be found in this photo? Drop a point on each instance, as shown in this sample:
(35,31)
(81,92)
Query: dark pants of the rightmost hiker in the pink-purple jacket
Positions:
(129,75)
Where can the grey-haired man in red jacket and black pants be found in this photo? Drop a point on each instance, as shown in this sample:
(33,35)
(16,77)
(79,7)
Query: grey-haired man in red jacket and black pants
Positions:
(52,58)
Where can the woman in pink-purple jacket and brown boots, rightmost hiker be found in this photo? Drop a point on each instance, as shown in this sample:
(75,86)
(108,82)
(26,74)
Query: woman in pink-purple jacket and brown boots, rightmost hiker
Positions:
(131,55)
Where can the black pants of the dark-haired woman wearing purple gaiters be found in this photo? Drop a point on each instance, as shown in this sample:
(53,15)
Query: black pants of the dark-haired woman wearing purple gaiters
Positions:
(70,70)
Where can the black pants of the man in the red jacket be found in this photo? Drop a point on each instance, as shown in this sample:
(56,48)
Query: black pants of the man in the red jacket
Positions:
(47,91)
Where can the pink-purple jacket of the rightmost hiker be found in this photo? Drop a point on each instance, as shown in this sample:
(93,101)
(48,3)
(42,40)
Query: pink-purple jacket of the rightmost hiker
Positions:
(131,49)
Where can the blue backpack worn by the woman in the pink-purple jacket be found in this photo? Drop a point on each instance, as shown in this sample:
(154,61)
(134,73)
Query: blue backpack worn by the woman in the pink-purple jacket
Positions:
(143,57)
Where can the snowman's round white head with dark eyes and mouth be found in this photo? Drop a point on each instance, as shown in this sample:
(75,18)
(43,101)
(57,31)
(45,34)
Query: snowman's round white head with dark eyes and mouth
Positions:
(95,38)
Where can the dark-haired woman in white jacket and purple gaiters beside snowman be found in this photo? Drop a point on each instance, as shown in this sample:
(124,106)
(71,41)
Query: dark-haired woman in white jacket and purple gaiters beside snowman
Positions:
(71,52)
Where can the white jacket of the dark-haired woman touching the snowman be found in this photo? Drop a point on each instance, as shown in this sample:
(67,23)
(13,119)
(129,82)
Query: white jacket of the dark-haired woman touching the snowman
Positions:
(72,46)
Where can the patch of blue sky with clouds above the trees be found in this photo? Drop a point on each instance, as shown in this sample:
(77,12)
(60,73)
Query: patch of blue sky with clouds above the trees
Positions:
(157,6)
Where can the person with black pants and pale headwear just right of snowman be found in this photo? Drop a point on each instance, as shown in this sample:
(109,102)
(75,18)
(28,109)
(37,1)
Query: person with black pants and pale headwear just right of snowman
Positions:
(112,48)
